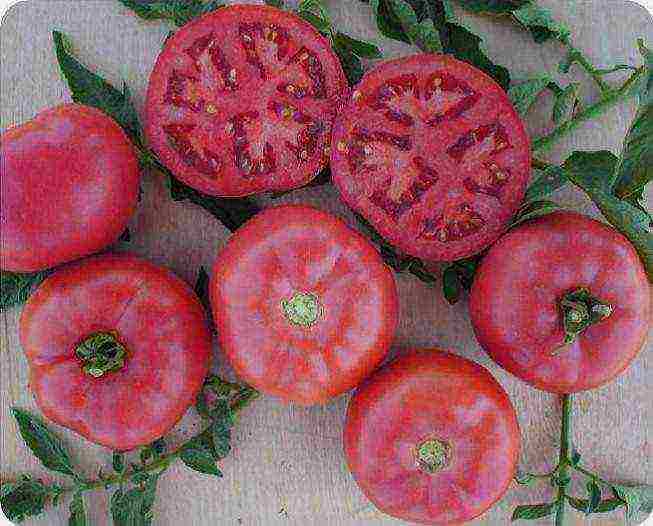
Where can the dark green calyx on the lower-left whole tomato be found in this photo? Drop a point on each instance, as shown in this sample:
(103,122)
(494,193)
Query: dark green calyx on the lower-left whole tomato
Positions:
(101,353)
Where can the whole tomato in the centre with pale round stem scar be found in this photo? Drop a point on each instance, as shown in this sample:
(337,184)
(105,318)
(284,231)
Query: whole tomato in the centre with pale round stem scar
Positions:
(304,306)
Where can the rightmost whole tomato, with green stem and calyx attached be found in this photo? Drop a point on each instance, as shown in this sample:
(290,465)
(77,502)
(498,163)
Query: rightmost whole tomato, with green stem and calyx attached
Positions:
(562,302)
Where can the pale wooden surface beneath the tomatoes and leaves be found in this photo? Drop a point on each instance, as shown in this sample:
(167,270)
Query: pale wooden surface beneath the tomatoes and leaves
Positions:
(287,467)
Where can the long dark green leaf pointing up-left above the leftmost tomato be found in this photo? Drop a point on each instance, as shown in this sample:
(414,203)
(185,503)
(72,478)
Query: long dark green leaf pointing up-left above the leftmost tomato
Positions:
(92,90)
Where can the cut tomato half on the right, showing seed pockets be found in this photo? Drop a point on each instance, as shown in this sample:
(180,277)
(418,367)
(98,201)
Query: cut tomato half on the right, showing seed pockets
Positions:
(431,152)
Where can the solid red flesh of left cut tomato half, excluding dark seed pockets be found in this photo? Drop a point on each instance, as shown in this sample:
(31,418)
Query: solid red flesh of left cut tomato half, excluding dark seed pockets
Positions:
(250,95)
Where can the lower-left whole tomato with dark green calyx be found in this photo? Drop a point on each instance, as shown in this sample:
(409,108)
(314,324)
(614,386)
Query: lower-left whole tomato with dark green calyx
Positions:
(117,349)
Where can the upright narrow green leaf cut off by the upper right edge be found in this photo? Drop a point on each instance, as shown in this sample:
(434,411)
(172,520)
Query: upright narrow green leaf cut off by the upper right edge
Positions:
(635,169)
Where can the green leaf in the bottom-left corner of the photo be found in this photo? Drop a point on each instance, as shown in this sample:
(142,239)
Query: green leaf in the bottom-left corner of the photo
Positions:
(26,498)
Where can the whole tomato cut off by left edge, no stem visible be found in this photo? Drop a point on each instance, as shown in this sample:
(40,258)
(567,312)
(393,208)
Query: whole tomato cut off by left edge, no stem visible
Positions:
(69,182)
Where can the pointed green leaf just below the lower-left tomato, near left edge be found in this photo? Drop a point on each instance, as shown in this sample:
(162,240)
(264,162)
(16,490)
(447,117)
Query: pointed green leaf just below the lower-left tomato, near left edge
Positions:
(43,443)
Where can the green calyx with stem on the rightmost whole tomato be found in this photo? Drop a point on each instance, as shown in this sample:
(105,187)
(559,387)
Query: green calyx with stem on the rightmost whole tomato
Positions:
(579,310)
